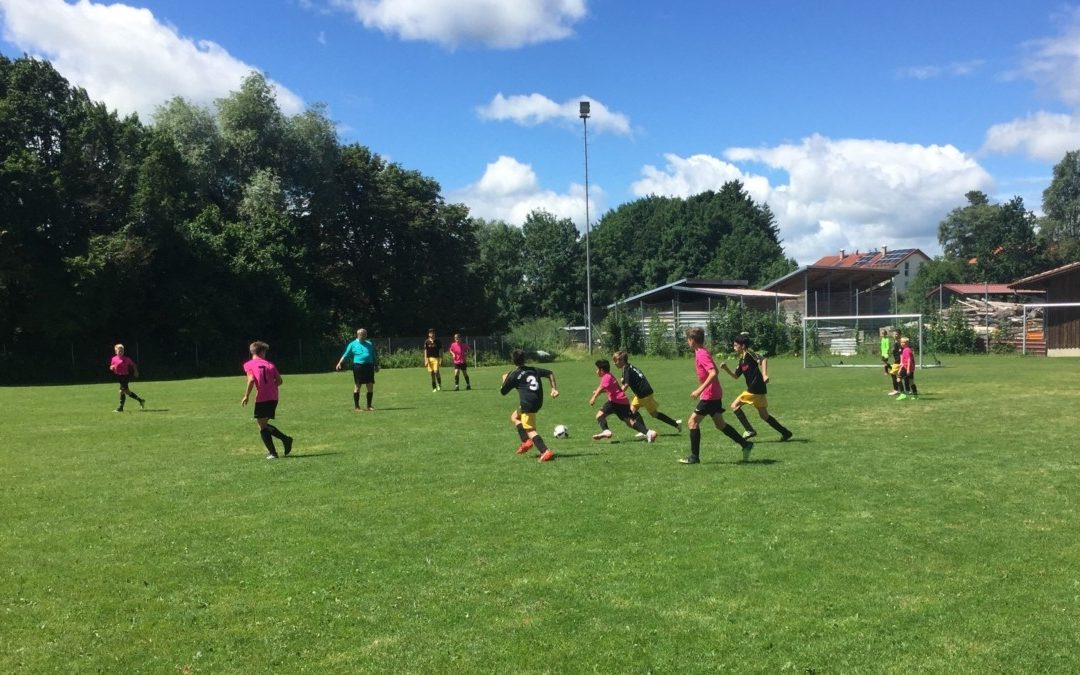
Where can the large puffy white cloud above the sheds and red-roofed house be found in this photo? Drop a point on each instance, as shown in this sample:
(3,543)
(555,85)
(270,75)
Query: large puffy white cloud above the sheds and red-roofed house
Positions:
(849,194)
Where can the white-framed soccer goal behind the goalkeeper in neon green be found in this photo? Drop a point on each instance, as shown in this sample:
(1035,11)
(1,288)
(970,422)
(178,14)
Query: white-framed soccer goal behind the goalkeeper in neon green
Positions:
(856,342)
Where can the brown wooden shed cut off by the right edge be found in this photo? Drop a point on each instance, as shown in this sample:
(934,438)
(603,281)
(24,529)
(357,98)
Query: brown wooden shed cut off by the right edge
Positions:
(1061,307)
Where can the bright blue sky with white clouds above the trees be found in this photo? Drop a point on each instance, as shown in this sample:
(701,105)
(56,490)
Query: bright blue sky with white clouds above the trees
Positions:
(860,124)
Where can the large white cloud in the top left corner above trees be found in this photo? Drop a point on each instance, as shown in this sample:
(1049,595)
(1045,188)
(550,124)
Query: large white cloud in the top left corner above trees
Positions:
(125,57)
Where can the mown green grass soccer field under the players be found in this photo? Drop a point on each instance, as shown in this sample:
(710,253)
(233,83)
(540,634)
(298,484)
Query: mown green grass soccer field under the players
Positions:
(940,535)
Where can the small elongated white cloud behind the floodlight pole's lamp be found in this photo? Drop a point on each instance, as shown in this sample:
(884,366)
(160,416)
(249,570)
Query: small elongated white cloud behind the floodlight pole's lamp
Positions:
(534,110)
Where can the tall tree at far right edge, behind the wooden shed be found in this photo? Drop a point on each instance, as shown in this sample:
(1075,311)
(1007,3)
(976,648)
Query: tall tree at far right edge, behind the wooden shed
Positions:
(1060,228)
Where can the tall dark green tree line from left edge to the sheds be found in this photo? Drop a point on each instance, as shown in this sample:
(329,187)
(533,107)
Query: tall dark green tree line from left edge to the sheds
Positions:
(237,221)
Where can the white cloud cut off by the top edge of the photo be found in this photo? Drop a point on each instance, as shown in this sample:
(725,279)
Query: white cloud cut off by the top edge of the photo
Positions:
(499,24)
